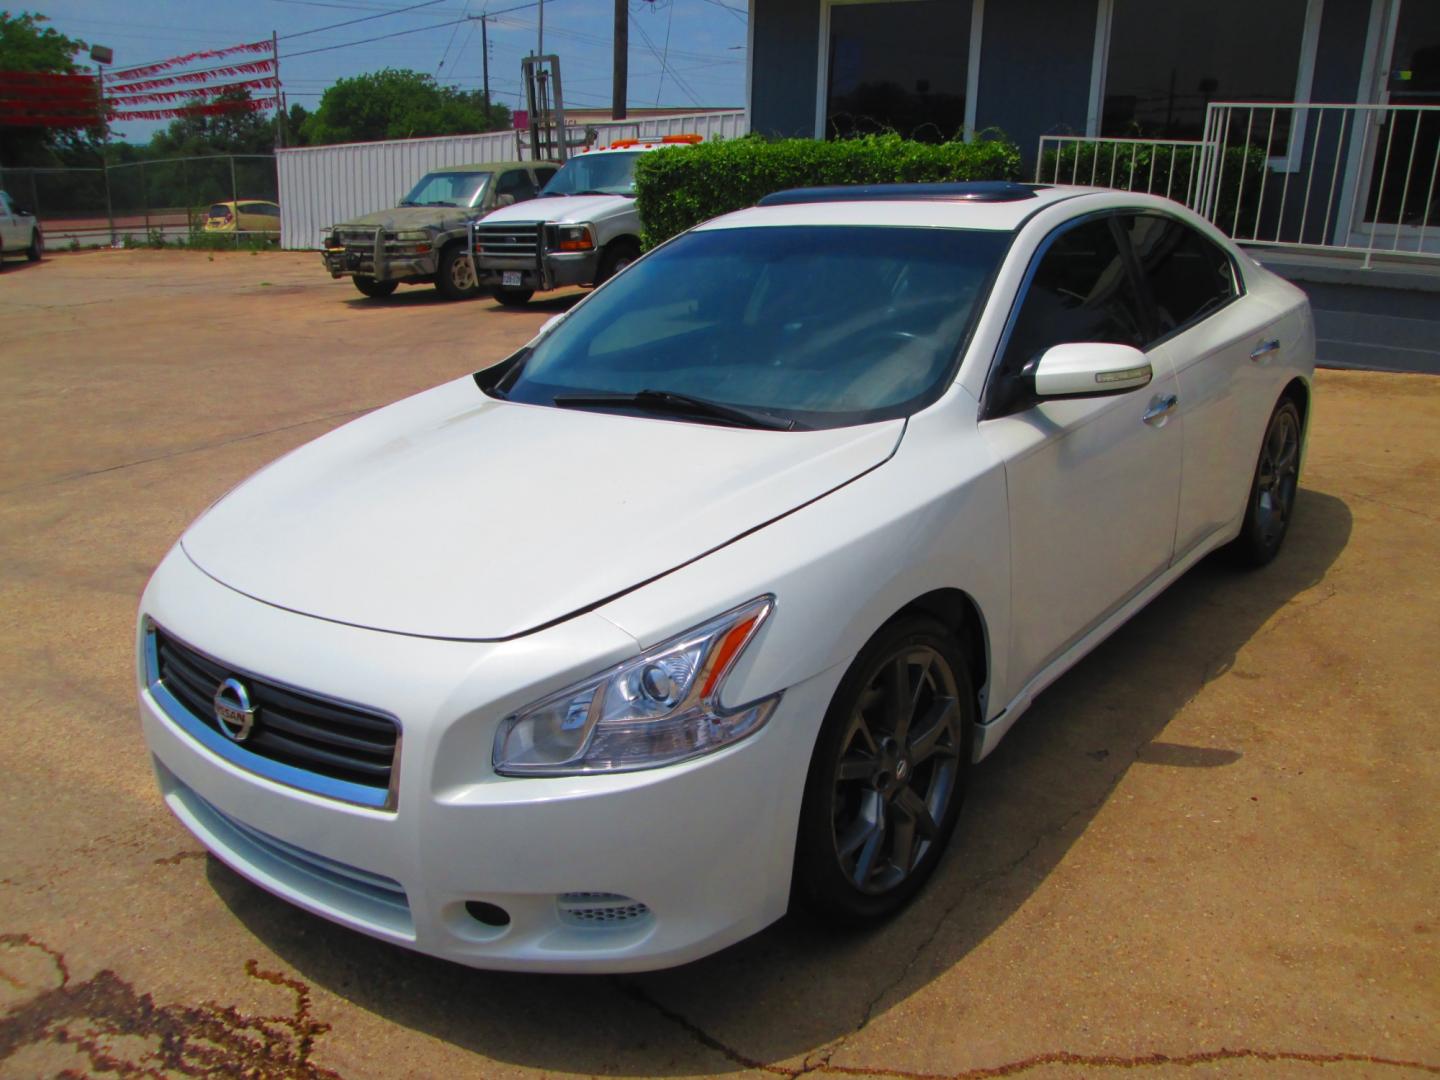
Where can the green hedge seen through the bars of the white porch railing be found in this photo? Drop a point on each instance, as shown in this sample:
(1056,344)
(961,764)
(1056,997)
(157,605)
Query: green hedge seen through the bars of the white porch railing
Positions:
(1166,171)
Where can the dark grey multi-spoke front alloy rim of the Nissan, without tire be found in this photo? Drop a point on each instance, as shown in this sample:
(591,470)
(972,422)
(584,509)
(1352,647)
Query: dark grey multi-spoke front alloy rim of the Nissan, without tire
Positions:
(898,770)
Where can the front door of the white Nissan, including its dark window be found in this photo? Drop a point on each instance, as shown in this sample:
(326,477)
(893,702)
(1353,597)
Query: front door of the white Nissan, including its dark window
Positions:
(1094,483)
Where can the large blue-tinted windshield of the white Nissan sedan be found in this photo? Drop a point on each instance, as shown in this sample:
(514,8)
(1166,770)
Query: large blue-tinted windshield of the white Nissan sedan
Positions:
(823,326)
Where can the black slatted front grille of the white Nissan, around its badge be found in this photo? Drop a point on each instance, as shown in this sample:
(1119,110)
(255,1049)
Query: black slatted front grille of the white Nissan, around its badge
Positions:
(292,728)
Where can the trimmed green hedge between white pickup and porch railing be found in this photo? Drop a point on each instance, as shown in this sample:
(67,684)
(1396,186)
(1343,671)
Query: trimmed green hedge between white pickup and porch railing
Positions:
(685,186)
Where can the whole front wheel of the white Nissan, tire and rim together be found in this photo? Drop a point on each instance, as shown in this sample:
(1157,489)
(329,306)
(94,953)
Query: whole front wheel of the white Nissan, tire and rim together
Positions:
(882,801)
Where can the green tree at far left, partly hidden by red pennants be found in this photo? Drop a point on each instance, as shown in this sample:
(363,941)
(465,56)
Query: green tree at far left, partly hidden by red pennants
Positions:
(30,47)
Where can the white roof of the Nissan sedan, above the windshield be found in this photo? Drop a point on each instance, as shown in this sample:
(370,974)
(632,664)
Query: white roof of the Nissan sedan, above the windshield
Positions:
(945,207)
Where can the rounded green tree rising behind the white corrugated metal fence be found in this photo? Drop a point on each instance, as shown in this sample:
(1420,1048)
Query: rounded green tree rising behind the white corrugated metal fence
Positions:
(398,104)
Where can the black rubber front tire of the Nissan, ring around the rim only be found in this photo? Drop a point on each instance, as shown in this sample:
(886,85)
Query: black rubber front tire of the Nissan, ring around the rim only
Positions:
(819,883)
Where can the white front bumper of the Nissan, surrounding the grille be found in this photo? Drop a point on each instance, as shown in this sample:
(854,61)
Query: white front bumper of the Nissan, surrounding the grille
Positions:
(701,850)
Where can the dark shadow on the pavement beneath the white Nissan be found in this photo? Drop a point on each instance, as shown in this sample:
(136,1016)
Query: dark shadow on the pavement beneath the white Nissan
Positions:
(796,987)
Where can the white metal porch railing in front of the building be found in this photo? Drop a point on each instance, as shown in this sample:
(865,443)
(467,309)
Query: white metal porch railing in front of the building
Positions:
(1362,179)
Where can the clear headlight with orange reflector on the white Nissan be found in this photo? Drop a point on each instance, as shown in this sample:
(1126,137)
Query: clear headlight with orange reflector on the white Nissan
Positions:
(657,709)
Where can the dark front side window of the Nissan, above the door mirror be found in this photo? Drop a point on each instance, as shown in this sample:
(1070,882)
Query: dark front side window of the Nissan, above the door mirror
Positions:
(1082,292)
